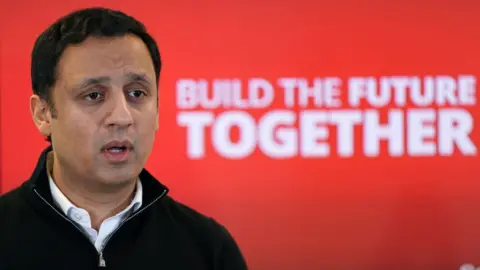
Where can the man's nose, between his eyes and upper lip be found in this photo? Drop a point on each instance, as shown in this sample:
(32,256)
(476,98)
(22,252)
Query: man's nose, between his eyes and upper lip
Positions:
(119,112)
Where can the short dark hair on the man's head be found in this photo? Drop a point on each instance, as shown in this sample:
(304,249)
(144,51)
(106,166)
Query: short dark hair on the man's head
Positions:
(74,28)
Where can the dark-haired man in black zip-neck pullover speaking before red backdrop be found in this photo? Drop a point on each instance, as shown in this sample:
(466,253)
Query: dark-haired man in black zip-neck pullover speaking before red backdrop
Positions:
(89,202)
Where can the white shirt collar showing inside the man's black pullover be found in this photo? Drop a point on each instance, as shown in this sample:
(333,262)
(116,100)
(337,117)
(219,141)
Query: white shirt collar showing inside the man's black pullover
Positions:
(82,218)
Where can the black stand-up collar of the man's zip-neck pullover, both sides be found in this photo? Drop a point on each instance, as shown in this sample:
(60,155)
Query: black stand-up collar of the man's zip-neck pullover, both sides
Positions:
(38,184)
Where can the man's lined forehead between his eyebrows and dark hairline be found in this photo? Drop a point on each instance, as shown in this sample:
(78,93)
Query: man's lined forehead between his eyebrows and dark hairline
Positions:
(110,57)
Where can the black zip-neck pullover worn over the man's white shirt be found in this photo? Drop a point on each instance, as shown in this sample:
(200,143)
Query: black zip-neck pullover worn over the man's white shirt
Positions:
(162,234)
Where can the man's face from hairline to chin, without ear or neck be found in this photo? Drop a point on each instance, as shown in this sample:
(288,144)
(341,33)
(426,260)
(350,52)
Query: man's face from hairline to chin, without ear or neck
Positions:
(106,109)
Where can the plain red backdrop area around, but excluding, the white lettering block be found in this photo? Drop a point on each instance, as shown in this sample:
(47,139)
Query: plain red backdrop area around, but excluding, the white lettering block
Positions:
(356,213)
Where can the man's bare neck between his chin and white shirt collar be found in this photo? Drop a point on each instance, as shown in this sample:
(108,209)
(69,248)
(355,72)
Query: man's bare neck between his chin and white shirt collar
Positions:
(100,201)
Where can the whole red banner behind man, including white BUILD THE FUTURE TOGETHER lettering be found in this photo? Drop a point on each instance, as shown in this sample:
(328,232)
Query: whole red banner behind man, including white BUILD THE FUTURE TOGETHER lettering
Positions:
(323,135)
